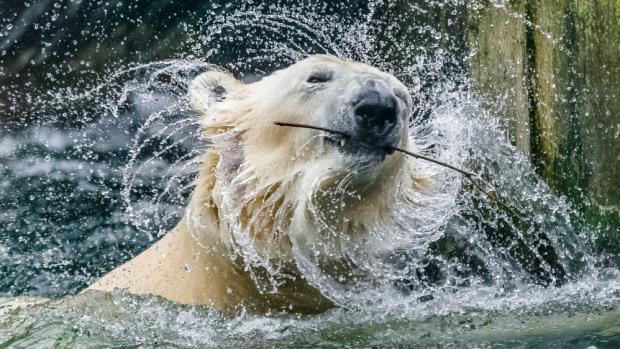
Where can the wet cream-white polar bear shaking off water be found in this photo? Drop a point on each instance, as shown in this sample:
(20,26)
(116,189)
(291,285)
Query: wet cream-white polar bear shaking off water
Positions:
(261,187)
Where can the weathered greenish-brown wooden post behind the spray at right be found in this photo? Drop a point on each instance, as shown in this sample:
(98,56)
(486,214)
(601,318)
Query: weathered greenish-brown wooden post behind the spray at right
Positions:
(553,68)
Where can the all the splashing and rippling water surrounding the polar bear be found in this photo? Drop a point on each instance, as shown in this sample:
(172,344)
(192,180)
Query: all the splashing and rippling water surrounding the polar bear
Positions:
(95,168)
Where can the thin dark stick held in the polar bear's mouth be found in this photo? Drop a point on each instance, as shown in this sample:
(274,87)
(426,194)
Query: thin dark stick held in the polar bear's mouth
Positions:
(472,177)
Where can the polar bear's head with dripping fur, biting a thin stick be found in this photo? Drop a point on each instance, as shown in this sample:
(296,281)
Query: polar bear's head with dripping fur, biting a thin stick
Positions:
(280,189)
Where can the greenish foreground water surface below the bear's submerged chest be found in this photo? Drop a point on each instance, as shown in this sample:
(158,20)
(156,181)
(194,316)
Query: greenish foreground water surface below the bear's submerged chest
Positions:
(568,318)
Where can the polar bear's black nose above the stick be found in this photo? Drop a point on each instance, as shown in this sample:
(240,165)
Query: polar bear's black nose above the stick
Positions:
(377,113)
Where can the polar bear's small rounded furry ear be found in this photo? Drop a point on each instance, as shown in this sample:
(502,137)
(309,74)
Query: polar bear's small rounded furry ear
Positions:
(210,88)
